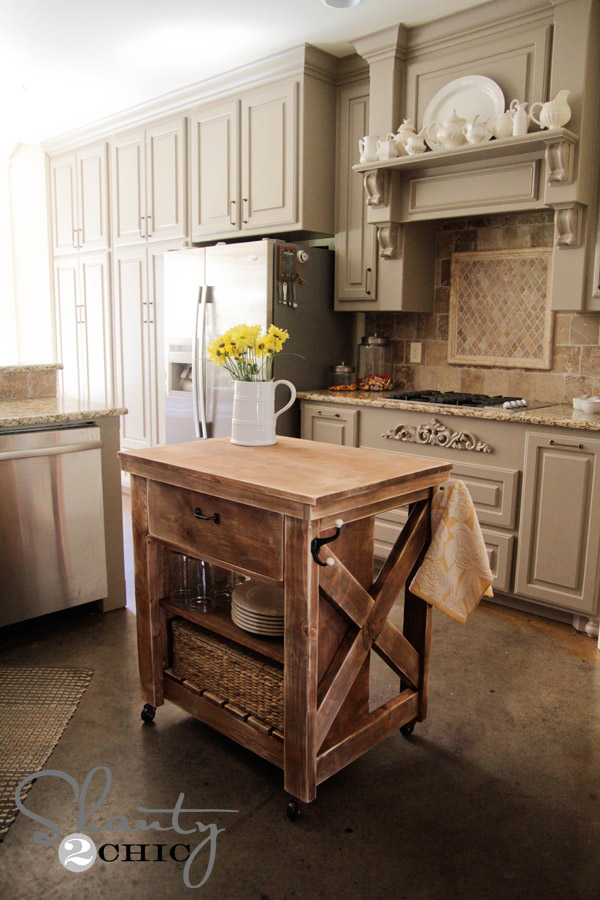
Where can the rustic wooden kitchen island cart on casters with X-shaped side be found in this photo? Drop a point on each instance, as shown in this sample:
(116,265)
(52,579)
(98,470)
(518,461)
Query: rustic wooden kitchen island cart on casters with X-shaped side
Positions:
(267,512)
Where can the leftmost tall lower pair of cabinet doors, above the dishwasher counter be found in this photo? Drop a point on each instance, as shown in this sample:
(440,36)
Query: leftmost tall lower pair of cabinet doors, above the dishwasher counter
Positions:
(83,326)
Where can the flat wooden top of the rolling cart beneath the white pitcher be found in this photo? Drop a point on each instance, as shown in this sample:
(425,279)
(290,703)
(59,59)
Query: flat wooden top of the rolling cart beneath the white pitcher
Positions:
(306,479)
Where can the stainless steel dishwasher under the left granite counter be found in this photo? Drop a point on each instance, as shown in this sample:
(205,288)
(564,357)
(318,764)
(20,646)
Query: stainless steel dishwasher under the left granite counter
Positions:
(52,549)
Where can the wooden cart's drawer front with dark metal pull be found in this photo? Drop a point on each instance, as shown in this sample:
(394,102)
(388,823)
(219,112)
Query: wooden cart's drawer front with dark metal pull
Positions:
(223,531)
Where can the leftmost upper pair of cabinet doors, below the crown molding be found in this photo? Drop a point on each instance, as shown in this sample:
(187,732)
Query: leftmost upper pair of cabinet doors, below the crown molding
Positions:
(79,200)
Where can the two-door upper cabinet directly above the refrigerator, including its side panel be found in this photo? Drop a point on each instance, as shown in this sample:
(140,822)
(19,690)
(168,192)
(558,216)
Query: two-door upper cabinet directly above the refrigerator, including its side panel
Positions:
(261,164)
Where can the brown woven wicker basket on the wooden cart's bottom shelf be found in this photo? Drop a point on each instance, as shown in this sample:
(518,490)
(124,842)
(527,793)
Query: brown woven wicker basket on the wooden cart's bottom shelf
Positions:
(234,673)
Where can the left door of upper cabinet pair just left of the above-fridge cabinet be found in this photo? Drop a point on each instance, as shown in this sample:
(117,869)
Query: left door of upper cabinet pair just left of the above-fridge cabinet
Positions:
(128,182)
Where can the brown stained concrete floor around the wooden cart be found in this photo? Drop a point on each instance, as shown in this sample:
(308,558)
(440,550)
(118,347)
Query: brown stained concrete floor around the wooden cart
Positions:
(496,795)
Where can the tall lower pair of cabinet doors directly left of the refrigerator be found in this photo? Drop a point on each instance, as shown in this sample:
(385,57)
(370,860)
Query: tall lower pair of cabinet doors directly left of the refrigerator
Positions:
(137,280)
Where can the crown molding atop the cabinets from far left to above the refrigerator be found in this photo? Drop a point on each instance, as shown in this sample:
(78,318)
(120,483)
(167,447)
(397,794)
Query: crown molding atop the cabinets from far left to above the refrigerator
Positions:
(301,61)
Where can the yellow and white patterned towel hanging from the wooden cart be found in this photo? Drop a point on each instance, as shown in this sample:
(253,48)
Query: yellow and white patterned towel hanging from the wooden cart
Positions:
(455,573)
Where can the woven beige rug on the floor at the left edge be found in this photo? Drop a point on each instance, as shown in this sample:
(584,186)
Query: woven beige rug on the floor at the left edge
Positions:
(35,707)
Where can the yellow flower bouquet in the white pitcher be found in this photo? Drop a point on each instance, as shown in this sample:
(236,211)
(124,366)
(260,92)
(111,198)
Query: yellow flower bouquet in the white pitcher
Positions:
(246,353)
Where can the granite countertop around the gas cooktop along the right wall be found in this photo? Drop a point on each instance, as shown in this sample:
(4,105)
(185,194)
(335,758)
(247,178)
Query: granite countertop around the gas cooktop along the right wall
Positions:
(561,415)
